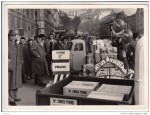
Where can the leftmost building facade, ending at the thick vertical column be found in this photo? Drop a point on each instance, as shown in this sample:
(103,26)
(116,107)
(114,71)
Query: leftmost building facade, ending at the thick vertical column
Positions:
(22,20)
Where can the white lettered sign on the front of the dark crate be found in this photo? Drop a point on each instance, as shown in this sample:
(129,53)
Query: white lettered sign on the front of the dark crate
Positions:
(62,101)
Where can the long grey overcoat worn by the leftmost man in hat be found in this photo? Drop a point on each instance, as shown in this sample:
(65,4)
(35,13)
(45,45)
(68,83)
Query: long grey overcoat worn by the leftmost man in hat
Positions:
(16,60)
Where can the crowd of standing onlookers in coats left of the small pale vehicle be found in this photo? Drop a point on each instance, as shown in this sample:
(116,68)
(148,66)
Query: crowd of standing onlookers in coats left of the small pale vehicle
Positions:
(31,59)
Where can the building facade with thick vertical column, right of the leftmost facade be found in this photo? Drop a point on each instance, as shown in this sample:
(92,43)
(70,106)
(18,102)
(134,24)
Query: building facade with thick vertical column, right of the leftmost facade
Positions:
(46,20)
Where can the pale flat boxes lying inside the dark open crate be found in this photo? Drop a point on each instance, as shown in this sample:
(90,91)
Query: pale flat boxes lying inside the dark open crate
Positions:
(92,90)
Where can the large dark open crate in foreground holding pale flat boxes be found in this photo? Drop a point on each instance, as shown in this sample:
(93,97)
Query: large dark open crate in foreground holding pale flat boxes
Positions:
(55,91)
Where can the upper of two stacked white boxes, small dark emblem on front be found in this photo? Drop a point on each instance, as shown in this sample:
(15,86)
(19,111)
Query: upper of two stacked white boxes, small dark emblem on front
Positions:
(61,55)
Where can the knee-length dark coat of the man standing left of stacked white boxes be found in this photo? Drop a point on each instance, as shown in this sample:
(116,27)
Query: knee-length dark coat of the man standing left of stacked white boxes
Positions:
(39,64)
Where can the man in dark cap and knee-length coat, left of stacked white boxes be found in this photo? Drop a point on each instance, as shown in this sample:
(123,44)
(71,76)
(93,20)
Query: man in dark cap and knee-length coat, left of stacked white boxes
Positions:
(39,64)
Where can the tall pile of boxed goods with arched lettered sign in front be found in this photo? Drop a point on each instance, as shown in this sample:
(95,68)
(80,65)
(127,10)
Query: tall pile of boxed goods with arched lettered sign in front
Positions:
(106,64)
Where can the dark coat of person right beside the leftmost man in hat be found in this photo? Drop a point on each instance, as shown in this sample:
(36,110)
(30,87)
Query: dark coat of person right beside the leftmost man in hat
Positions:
(26,59)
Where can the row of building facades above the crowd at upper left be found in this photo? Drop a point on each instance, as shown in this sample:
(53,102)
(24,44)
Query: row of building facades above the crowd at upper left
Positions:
(31,22)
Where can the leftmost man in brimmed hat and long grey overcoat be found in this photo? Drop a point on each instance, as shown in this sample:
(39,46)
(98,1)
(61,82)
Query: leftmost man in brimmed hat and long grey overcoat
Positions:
(15,60)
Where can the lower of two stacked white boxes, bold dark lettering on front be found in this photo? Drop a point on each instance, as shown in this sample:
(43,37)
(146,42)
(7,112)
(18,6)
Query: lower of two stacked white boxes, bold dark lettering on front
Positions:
(61,67)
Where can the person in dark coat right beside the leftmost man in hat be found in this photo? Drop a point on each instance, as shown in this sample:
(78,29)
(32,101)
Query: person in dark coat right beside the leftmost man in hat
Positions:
(26,59)
